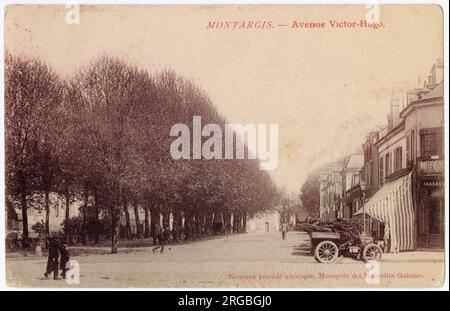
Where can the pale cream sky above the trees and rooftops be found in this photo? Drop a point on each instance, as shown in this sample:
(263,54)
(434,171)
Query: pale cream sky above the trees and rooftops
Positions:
(324,87)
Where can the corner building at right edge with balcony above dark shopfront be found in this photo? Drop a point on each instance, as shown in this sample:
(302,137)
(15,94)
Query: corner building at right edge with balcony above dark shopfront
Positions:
(424,132)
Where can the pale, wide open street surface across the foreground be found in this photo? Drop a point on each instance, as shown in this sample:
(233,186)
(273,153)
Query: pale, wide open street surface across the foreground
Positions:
(244,260)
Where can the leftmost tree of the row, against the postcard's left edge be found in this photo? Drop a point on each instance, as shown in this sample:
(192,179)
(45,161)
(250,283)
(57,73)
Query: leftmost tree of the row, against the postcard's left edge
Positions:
(32,94)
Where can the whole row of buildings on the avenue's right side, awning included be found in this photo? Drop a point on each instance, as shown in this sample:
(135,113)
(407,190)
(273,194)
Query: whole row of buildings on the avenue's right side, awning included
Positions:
(395,182)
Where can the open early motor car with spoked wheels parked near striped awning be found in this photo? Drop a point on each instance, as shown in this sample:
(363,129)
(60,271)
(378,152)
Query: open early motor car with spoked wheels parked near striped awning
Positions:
(332,238)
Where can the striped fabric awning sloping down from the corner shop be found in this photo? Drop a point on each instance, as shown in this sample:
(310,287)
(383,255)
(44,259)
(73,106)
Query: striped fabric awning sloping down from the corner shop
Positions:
(393,206)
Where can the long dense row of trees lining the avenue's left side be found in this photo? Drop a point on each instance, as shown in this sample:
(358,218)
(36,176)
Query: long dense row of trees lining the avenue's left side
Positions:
(103,136)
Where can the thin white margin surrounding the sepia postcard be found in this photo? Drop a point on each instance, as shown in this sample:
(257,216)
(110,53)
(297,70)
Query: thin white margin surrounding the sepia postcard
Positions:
(442,3)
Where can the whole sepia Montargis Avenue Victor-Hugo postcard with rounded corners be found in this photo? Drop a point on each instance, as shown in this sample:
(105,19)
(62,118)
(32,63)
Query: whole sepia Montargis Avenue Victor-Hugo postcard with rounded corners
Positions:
(225,146)
